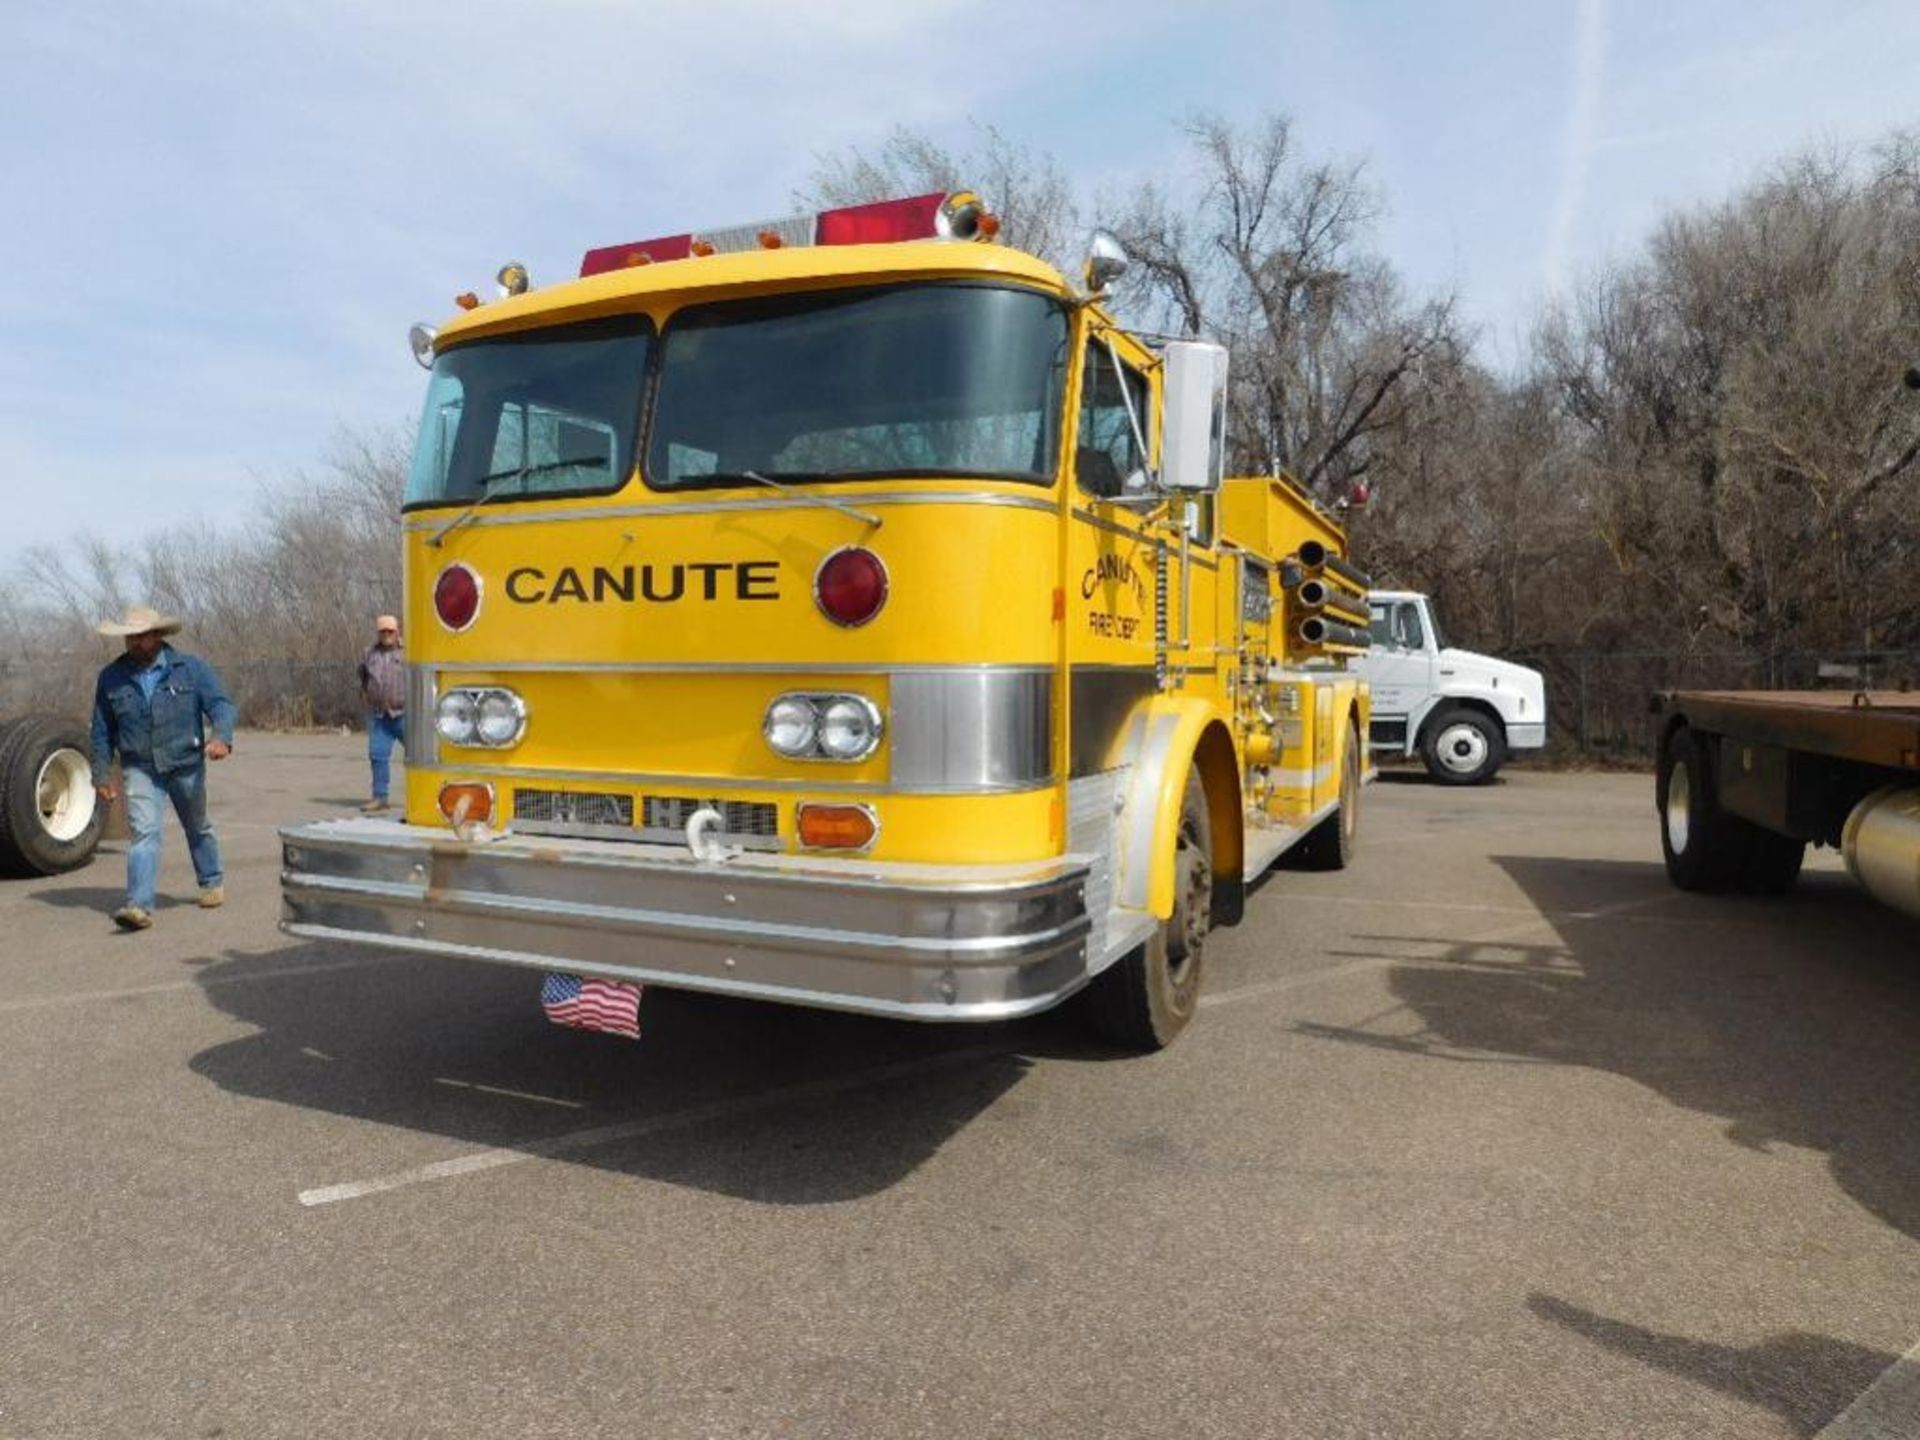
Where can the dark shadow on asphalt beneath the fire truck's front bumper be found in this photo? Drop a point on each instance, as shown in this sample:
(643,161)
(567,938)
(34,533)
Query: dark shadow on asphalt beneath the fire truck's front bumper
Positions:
(752,1101)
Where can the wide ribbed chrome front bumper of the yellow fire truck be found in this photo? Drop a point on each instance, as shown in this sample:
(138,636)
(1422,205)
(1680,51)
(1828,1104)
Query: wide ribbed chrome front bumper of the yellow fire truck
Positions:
(888,940)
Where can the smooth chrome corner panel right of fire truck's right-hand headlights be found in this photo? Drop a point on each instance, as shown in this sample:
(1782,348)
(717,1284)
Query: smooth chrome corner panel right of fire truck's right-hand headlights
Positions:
(957,732)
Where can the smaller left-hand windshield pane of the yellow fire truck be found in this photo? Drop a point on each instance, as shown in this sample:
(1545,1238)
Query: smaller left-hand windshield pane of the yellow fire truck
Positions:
(539,414)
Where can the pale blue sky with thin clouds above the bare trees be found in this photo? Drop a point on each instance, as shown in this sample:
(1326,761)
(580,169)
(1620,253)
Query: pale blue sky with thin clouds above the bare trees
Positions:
(224,216)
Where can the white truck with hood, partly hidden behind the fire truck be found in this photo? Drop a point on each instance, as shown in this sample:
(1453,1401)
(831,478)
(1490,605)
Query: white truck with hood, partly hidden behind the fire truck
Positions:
(1462,713)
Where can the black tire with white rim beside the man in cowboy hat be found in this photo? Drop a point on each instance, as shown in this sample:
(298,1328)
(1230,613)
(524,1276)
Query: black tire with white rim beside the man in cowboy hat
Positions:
(51,819)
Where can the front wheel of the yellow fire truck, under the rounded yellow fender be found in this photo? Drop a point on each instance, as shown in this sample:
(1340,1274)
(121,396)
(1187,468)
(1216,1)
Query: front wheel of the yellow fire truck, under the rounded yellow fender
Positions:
(1145,999)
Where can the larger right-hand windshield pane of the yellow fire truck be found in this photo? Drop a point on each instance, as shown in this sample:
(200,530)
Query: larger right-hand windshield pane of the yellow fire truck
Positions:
(905,381)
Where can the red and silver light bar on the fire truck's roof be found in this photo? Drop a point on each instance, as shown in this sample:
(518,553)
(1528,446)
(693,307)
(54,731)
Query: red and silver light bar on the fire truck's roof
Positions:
(942,216)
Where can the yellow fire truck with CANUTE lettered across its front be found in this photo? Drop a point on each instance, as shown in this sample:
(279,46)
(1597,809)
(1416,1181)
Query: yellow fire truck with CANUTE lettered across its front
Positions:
(848,612)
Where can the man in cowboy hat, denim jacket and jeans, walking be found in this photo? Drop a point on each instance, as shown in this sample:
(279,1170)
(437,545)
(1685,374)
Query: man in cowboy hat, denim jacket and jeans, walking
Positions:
(153,708)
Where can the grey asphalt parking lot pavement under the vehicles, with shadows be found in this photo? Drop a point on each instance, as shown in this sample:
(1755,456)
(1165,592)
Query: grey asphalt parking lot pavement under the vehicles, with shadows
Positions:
(1491,1136)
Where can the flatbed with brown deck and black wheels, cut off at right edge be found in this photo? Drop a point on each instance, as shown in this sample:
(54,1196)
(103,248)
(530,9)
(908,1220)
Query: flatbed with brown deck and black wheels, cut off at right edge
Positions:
(1748,780)
